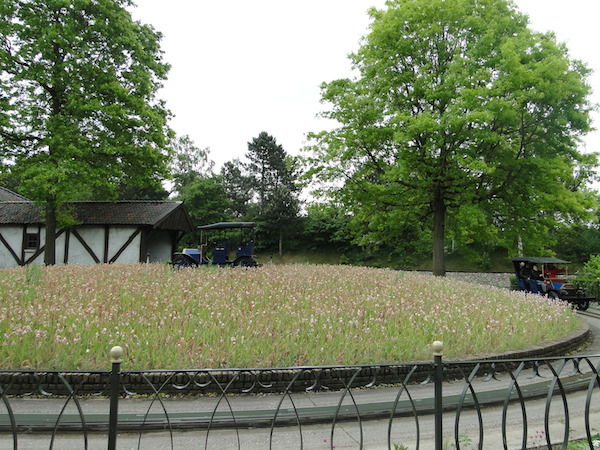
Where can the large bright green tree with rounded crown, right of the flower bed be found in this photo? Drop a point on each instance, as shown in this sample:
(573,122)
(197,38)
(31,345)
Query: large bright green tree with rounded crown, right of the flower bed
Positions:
(458,110)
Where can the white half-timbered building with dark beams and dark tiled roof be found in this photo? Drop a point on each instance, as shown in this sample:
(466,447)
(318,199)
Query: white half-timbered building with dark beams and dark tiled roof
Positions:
(106,232)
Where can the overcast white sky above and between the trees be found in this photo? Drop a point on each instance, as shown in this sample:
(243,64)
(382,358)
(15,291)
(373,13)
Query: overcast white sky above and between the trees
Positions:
(240,67)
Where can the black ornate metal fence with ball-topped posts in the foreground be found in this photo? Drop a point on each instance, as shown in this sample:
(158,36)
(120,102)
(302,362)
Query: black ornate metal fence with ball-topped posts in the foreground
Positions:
(476,404)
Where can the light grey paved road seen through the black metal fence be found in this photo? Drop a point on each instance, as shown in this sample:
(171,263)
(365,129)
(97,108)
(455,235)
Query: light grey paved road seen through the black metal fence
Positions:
(347,435)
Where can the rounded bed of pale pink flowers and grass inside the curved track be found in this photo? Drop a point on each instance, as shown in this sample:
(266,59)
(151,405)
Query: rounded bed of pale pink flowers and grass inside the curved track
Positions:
(68,317)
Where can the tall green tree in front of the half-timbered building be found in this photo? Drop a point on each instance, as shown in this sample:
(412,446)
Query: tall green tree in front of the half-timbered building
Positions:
(79,117)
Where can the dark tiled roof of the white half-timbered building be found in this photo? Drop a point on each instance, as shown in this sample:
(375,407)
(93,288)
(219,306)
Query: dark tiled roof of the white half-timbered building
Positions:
(168,215)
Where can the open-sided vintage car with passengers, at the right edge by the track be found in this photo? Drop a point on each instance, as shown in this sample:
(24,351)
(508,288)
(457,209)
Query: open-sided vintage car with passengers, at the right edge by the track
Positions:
(549,276)
